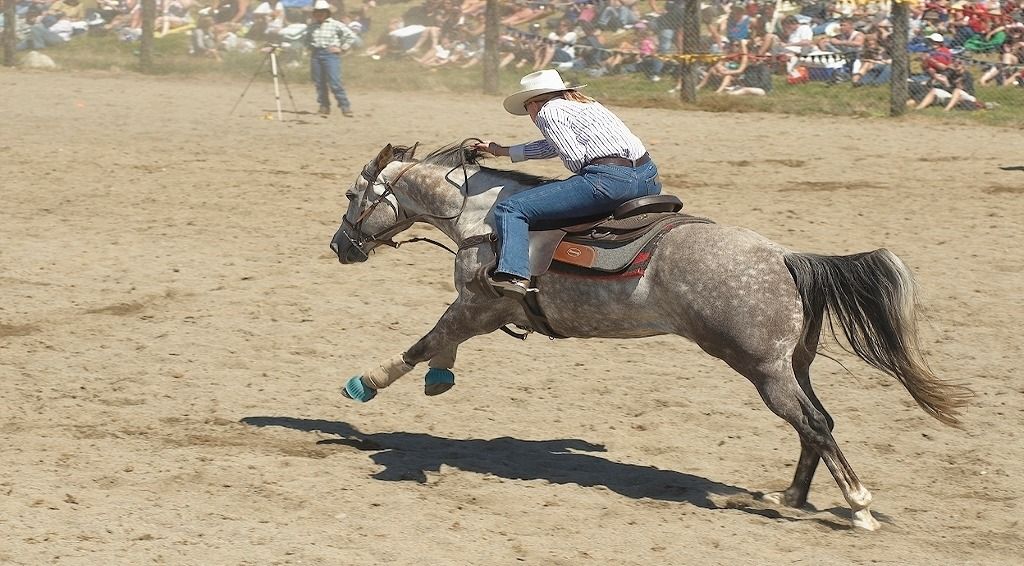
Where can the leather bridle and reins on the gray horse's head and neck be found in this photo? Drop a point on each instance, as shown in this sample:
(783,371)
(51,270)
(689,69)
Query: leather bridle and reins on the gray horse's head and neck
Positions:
(360,240)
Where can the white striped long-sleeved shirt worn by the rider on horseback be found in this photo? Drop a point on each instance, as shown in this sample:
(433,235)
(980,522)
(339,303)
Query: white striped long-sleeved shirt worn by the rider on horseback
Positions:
(579,133)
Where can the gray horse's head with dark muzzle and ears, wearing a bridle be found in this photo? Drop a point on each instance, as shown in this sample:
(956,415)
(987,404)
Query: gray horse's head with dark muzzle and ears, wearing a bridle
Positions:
(373,209)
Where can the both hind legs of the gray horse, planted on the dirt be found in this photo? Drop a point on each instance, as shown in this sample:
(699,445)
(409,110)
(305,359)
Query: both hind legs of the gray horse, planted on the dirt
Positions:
(783,394)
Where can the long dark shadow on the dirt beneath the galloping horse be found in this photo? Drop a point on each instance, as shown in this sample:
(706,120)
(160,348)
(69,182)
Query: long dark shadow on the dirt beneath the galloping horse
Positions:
(411,457)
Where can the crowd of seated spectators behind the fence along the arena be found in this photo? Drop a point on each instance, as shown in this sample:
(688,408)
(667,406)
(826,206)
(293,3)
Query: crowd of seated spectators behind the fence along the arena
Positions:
(744,45)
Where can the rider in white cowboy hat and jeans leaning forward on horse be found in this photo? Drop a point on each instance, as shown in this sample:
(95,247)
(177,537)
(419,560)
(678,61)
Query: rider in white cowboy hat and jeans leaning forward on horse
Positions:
(611,166)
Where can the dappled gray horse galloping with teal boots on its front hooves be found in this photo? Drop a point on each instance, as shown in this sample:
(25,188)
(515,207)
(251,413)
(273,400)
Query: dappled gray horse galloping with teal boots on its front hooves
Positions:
(748,301)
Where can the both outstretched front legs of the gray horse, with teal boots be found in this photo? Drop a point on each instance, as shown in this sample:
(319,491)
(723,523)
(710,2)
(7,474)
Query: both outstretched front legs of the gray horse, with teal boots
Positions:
(462,321)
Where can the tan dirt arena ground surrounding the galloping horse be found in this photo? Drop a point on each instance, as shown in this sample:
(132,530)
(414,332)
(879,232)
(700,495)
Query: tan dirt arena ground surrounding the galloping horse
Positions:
(175,331)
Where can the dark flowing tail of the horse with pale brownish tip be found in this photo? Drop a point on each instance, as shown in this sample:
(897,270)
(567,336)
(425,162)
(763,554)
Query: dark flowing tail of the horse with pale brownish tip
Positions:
(873,296)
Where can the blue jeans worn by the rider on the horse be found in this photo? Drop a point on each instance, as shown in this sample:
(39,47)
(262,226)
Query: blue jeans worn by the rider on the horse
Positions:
(598,190)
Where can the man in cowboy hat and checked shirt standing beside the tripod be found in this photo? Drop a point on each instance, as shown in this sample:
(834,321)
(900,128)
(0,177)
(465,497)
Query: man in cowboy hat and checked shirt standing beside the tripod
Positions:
(327,39)
